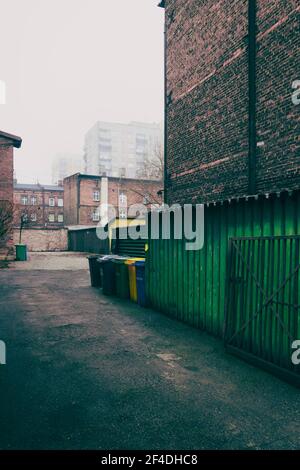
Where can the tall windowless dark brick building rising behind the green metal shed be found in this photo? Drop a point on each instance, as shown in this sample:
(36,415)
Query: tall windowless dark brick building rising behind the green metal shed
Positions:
(232,127)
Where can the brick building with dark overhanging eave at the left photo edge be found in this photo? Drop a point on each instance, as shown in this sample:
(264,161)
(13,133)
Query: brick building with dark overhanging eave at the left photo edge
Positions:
(7,144)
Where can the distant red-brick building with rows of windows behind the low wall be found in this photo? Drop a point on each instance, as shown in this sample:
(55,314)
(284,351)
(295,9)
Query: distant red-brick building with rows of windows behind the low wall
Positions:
(43,204)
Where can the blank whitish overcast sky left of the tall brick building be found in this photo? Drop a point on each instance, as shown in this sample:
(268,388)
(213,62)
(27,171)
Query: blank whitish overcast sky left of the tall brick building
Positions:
(69,63)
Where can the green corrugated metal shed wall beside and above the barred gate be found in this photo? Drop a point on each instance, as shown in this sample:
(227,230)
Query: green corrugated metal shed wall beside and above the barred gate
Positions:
(190,286)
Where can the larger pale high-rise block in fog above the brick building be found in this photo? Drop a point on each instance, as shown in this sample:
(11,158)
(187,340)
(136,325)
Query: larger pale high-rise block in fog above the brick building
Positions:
(121,150)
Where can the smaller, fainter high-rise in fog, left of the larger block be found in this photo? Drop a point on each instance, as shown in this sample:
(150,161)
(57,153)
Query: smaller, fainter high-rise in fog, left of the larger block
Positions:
(66,164)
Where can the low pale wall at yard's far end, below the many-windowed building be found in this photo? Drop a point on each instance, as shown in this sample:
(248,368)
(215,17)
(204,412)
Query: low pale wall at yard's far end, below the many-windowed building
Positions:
(43,240)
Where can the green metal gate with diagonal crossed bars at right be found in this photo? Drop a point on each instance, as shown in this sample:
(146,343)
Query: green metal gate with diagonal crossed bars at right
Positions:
(262,317)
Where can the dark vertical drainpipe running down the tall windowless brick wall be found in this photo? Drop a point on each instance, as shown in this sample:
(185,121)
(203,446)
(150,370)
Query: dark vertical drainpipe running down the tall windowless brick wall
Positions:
(252,51)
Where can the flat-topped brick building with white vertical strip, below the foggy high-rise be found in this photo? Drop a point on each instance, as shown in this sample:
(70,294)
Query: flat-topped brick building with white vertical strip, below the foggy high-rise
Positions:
(84,193)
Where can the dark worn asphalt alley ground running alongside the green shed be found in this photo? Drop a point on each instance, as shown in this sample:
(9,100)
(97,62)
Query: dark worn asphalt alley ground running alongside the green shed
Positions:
(86,371)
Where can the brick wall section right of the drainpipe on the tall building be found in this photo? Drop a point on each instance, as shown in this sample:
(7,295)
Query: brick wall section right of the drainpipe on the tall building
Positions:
(278,161)
